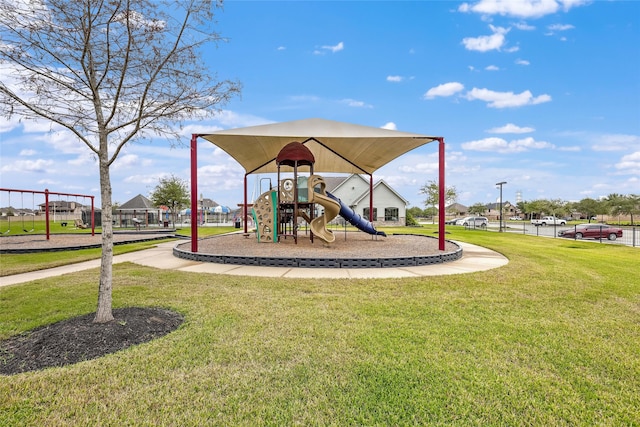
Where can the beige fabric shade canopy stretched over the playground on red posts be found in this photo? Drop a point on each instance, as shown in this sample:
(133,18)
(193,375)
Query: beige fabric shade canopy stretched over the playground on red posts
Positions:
(337,146)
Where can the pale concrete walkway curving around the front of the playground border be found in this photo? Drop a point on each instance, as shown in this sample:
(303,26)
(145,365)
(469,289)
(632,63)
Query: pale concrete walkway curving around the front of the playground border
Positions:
(474,258)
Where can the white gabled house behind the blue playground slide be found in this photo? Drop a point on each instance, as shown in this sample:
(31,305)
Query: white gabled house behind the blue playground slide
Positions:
(389,207)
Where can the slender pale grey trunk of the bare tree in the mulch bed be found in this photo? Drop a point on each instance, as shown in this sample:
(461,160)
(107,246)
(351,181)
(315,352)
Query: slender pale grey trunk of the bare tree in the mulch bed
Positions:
(104,312)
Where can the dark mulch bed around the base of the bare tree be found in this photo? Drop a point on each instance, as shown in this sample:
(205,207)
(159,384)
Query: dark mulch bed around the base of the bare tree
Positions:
(78,339)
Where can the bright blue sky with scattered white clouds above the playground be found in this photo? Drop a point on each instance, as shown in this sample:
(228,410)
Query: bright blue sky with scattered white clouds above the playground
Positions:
(542,94)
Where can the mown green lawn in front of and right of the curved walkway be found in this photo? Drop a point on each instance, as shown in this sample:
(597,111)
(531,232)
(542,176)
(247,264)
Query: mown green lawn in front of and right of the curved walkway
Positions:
(552,338)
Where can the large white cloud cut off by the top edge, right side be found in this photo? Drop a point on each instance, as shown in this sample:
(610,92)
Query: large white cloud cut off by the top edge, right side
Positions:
(520,8)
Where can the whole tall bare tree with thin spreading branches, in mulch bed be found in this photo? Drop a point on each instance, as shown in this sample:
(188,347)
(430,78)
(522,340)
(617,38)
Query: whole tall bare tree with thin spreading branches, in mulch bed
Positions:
(111,72)
